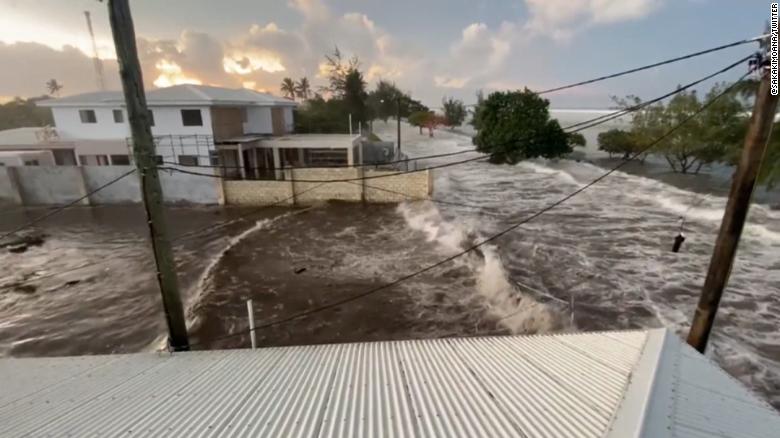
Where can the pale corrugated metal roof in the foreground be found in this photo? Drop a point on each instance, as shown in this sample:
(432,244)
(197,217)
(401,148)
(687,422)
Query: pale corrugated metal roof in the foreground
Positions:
(618,383)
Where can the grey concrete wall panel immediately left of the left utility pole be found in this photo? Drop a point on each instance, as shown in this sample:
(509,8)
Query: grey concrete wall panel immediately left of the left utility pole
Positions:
(127,190)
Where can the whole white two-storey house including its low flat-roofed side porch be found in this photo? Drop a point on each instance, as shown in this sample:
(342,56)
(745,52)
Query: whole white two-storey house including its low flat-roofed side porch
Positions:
(245,132)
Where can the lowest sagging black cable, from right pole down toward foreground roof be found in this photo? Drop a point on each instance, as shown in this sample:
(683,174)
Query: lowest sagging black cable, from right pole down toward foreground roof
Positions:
(497,235)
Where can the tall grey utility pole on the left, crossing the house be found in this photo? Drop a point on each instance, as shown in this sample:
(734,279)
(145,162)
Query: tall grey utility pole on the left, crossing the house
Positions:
(143,154)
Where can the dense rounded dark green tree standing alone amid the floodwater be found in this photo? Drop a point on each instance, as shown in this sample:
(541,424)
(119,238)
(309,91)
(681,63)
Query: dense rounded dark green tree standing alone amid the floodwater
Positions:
(516,125)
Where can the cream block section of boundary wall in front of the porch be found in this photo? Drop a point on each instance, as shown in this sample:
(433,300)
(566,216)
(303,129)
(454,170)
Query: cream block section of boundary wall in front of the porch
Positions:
(399,188)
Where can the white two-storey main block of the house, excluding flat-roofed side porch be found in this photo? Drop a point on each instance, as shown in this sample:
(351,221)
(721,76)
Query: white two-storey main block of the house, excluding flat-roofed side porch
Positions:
(189,122)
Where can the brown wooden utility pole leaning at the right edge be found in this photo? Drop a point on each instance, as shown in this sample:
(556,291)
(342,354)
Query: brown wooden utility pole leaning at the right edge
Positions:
(736,211)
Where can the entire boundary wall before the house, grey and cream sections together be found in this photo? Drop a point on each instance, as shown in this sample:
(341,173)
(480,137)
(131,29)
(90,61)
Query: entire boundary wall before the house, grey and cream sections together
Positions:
(56,185)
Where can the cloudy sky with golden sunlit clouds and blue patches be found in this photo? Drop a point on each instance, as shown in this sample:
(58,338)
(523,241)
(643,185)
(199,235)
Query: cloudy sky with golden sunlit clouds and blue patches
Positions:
(430,48)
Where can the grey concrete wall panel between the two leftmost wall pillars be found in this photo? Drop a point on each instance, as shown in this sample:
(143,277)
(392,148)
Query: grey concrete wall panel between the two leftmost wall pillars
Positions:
(42,185)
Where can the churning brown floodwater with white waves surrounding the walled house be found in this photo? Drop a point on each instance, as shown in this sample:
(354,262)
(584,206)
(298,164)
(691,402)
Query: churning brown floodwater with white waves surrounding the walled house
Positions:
(90,287)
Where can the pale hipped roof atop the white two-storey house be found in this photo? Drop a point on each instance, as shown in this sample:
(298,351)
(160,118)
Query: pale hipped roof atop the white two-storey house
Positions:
(176,95)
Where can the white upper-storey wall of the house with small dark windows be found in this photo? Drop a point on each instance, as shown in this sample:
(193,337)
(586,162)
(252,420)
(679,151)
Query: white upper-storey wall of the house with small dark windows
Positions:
(167,121)
